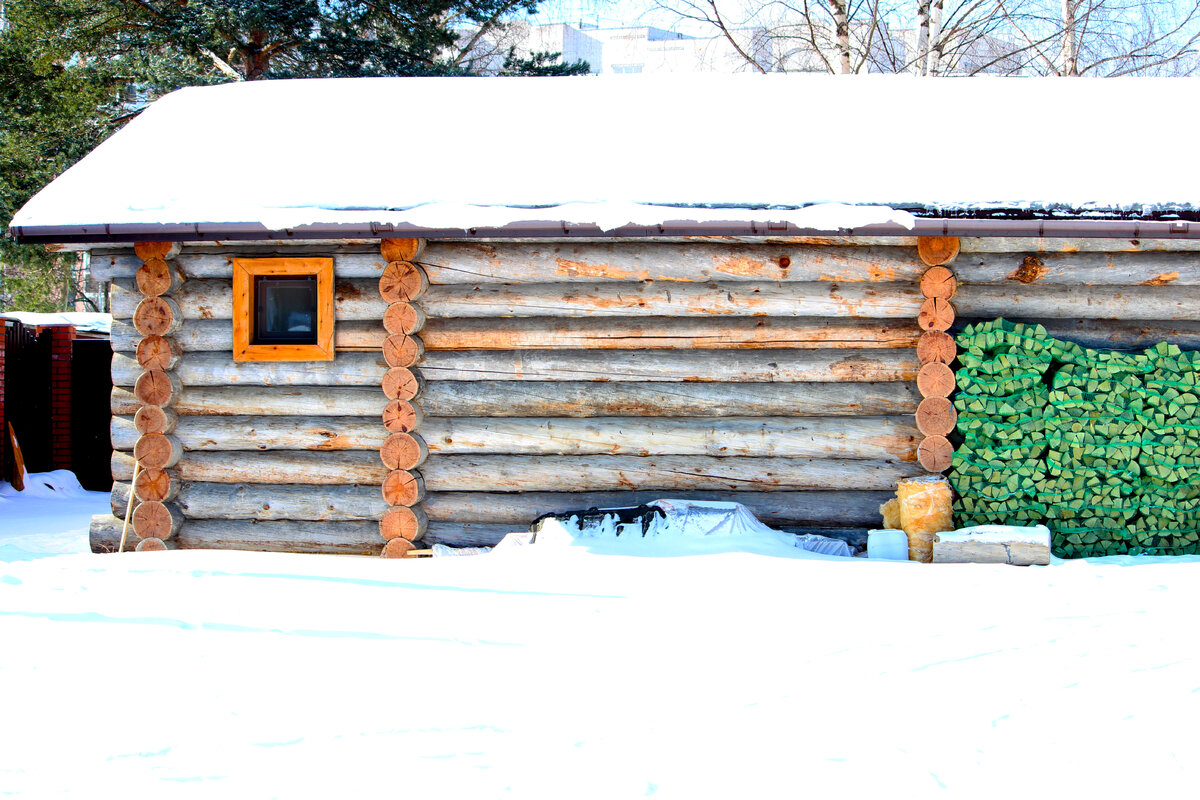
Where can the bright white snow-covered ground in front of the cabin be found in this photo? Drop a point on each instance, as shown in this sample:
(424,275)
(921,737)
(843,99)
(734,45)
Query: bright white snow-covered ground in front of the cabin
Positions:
(734,669)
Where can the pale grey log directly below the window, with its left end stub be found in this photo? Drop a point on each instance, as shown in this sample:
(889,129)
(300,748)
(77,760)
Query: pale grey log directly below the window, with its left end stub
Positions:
(220,370)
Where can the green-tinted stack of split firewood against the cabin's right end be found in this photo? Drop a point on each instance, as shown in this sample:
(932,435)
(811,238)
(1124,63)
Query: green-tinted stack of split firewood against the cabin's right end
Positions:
(1101,444)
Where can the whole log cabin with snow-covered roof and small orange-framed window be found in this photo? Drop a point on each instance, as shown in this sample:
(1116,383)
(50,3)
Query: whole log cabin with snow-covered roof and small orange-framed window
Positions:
(364,316)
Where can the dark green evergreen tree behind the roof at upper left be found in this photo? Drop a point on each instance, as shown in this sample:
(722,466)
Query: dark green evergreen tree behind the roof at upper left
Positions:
(74,71)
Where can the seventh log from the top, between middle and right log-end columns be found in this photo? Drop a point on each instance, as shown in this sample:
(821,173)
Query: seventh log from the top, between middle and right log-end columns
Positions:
(663,473)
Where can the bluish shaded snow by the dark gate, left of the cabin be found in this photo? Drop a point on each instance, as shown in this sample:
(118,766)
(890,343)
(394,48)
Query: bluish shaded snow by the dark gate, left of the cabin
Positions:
(50,518)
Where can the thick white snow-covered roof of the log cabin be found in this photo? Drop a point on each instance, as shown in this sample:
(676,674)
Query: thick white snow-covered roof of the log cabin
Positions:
(821,153)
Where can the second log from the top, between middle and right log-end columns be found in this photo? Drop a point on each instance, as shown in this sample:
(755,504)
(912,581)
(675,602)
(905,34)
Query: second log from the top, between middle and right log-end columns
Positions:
(674,299)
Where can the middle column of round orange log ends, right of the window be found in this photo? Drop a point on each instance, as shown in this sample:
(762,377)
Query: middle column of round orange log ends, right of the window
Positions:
(401,286)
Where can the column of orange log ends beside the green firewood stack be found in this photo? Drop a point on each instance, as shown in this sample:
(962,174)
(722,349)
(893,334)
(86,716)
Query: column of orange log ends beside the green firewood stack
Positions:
(937,417)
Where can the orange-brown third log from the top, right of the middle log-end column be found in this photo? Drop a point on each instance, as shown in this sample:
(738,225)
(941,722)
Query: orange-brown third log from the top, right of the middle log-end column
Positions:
(663,333)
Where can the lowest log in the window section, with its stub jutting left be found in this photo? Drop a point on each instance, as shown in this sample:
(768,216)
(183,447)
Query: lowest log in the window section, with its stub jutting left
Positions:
(353,538)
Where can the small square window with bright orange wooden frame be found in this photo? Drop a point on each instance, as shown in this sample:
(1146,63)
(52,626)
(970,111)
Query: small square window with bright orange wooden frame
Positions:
(283,310)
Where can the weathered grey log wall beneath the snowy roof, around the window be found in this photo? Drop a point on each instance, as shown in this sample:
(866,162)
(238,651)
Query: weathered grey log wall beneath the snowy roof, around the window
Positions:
(497,382)
